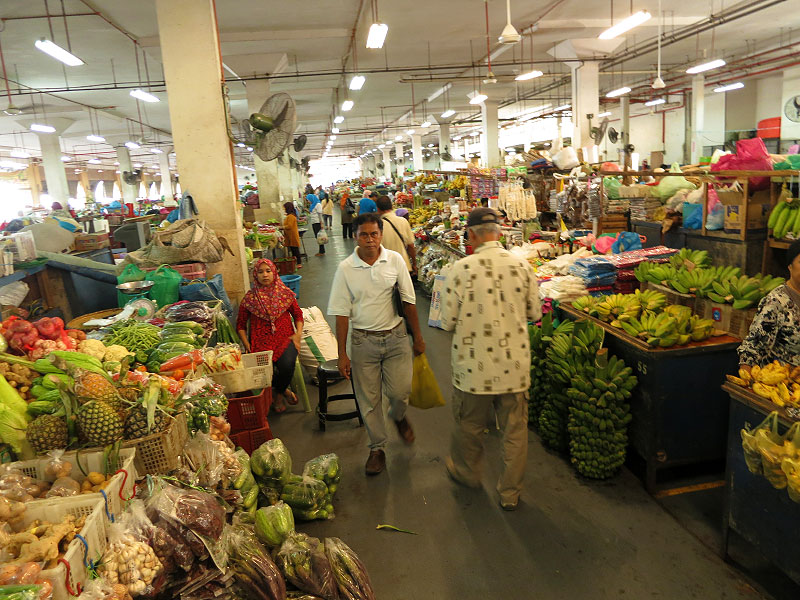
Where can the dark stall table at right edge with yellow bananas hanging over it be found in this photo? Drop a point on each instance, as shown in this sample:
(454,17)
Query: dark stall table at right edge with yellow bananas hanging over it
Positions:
(762,515)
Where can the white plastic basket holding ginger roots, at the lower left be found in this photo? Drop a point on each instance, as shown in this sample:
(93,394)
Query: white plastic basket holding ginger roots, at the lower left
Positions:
(89,547)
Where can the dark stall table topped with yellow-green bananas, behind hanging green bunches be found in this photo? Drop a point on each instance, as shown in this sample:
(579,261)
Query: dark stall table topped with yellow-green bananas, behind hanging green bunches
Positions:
(679,411)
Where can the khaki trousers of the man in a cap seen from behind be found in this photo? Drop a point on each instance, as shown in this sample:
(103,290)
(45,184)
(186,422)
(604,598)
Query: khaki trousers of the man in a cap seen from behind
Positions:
(472,413)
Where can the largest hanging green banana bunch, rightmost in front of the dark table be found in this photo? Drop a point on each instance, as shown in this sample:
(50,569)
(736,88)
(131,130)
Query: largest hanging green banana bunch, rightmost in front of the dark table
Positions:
(599,416)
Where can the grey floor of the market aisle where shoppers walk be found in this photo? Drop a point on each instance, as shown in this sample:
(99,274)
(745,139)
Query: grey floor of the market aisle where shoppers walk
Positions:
(569,539)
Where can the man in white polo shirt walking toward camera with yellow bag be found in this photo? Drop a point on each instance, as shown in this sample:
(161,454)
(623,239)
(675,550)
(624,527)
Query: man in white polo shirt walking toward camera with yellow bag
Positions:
(363,295)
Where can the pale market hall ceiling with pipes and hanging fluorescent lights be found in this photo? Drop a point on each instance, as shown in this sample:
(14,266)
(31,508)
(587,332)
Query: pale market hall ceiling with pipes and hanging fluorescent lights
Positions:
(305,47)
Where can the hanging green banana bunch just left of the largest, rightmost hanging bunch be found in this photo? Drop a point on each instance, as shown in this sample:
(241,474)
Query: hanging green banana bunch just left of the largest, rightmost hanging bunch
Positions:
(570,355)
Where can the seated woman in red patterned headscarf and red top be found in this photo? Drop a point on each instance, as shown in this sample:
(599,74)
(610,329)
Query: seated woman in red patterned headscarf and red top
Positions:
(270,307)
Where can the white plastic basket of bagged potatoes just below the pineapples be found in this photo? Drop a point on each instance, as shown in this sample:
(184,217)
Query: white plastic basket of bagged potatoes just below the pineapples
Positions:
(117,492)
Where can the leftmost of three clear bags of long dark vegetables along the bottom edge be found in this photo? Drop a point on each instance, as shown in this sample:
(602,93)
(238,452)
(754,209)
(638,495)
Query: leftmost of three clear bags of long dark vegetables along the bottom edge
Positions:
(253,568)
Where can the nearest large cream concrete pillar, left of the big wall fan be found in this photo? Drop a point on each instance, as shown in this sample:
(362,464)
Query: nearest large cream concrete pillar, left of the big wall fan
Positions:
(192,61)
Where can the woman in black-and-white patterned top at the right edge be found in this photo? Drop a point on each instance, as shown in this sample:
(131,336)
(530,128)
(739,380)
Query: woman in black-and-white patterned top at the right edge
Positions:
(775,332)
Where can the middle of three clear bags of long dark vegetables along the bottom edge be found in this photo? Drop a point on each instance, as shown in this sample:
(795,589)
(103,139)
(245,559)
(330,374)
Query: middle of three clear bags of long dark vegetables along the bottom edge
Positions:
(303,562)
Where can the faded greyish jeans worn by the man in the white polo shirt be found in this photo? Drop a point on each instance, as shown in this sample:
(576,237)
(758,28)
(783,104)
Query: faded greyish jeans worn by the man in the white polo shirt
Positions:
(381,365)
